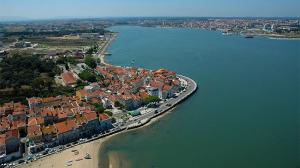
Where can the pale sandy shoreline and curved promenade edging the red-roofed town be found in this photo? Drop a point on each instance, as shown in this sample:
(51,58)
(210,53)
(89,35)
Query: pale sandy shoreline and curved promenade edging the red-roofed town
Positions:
(62,158)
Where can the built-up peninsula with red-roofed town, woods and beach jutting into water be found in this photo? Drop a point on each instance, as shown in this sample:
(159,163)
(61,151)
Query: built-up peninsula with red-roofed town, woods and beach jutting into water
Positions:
(80,103)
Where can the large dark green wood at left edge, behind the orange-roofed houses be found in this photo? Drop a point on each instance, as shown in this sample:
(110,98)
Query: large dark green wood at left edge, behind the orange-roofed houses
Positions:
(22,77)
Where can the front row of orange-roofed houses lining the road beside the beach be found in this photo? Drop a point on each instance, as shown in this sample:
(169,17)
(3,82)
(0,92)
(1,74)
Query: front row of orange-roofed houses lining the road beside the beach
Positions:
(85,124)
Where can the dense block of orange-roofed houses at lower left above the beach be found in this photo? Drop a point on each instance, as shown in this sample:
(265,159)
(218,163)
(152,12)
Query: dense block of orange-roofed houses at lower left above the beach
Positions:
(46,122)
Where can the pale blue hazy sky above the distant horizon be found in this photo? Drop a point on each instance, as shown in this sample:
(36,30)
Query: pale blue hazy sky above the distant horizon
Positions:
(102,8)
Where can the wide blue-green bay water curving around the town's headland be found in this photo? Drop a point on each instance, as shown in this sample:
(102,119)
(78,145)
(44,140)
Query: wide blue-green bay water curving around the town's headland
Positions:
(245,113)
